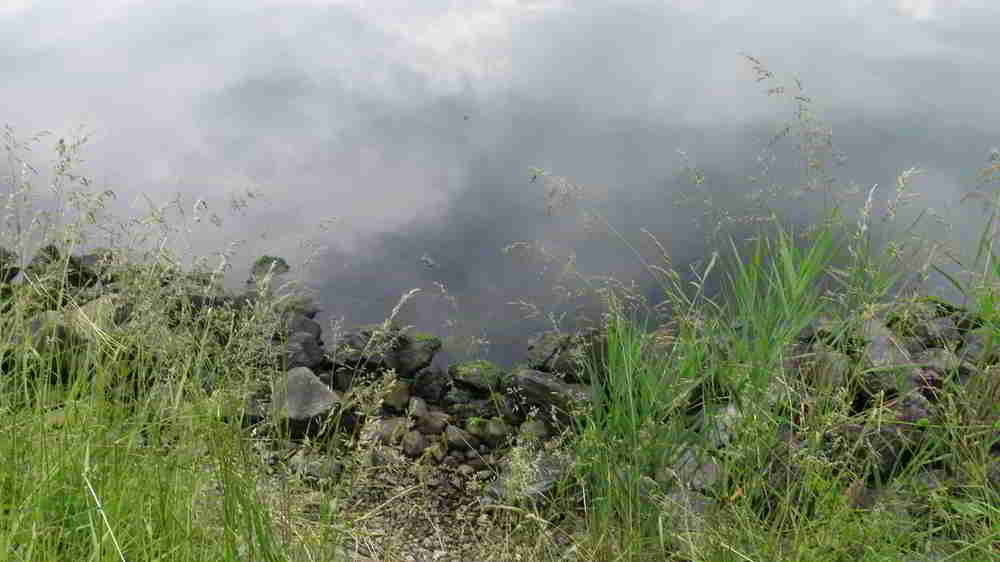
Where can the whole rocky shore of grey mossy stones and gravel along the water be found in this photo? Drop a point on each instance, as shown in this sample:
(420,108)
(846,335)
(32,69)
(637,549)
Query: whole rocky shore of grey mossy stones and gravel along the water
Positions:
(475,436)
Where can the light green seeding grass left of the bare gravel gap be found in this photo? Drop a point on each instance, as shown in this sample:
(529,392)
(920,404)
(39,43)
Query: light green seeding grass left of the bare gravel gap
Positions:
(127,454)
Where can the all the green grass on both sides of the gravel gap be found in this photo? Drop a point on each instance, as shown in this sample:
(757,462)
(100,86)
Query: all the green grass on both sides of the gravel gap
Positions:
(128,445)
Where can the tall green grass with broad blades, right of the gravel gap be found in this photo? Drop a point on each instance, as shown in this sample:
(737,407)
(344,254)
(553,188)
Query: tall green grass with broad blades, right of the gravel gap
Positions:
(732,349)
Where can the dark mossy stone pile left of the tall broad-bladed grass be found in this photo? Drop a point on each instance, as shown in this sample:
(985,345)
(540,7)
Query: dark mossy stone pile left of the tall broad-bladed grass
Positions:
(461,418)
